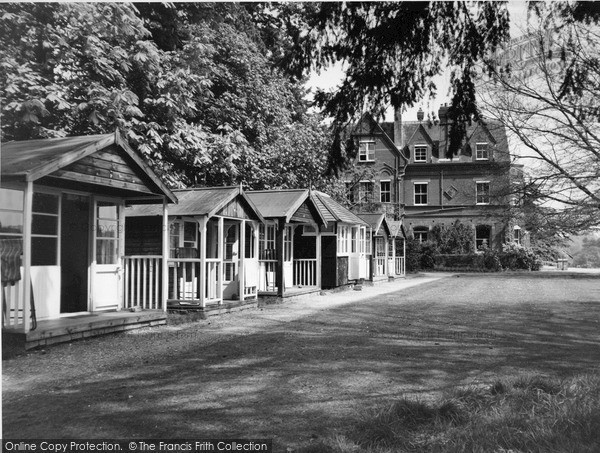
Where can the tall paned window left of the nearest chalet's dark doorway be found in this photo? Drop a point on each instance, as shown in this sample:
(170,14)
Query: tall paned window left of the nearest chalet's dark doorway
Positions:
(44,230)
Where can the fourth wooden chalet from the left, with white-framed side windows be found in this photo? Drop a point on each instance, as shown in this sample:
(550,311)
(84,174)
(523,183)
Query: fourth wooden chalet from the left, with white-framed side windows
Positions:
(344,243)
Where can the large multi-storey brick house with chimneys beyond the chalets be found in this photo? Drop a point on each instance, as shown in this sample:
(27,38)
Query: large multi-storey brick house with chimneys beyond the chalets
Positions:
(401,169)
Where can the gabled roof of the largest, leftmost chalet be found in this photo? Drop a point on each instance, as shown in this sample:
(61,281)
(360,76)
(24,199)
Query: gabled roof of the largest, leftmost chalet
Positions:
(31,160)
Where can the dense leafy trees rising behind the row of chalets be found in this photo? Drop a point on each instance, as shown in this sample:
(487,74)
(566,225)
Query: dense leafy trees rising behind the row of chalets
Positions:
(193,86)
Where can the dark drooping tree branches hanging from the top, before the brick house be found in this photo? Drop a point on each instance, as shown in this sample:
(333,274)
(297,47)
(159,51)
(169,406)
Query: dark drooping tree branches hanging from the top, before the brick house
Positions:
(391,51)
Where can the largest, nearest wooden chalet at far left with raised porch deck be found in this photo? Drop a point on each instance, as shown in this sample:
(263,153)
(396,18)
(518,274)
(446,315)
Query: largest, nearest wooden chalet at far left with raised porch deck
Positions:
(62,237)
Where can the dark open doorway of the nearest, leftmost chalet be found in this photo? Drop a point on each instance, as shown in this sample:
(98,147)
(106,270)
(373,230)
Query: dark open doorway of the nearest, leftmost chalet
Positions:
(74,254)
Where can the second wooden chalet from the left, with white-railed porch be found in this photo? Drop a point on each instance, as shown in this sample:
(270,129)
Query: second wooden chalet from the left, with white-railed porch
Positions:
(212,245)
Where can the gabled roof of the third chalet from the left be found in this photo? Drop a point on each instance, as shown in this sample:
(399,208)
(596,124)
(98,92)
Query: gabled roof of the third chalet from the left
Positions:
(281,203)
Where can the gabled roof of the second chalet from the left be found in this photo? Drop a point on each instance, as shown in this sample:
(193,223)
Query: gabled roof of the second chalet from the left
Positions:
(204,201)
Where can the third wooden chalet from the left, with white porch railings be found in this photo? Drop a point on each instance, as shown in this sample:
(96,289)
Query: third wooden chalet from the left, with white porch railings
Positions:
(290,242)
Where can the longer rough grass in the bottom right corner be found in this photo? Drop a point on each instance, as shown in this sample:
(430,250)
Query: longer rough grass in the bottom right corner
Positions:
(526,414)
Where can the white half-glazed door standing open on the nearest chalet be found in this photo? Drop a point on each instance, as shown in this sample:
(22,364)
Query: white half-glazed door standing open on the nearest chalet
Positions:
(107,284)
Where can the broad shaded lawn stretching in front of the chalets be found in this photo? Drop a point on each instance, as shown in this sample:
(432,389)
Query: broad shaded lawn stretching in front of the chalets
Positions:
(311,378)
